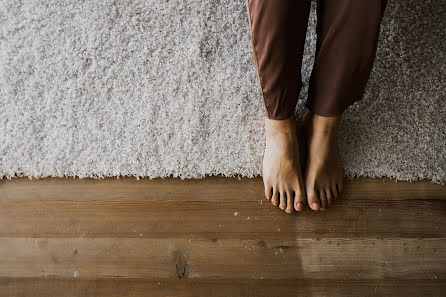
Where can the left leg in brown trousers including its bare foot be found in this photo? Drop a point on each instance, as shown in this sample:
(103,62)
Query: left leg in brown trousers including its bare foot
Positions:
(278,31)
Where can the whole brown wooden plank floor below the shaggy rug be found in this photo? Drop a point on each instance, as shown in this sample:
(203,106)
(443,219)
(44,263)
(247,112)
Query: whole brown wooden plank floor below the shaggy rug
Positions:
(218,237)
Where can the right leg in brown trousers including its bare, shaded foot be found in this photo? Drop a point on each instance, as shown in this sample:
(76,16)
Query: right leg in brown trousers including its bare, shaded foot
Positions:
(347,36)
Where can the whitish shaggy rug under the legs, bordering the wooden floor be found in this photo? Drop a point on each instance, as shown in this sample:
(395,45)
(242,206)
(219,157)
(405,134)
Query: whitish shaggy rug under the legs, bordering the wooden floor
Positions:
(168,88)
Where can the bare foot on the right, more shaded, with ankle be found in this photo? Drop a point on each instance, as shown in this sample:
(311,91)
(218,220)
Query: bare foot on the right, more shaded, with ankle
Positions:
(323,173)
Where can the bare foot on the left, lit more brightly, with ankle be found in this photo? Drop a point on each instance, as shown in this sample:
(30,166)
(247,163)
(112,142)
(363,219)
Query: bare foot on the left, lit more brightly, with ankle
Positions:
(281,165)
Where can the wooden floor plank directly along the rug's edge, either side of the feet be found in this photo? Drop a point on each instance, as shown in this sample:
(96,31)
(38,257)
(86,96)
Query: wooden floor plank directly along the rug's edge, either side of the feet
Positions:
(212,188)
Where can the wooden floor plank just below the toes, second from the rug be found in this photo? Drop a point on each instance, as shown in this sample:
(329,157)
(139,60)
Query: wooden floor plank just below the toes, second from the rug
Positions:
(203,219)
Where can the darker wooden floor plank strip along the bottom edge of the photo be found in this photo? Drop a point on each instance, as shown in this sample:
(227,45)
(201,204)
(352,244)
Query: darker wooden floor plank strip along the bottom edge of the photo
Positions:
(31,287)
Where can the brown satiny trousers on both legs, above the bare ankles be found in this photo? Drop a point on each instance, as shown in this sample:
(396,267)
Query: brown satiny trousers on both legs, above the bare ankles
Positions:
(347,35)
